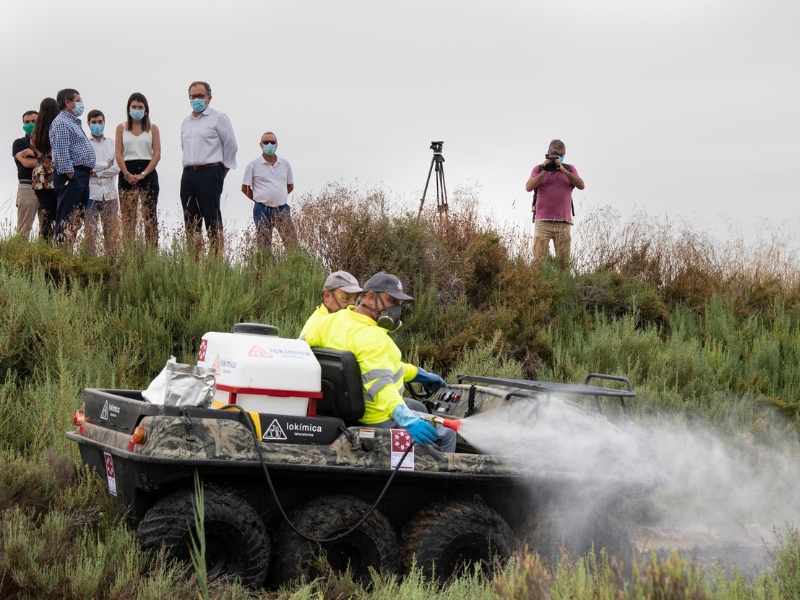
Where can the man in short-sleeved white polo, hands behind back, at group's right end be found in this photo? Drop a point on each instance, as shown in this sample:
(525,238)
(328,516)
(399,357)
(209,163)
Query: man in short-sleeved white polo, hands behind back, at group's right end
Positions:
(268,181)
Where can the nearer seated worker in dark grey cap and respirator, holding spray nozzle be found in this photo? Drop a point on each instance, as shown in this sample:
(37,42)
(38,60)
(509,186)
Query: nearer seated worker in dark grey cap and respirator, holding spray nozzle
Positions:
(363,330)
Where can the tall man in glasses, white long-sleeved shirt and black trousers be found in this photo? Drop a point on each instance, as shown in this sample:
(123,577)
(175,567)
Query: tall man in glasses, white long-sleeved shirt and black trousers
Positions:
(209,152)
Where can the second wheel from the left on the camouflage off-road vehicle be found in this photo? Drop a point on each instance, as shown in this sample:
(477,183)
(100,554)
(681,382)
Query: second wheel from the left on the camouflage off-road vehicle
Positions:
(373,544)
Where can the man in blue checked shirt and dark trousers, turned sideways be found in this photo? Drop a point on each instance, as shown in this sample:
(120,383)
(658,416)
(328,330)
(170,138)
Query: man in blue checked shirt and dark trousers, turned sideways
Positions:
(73,161)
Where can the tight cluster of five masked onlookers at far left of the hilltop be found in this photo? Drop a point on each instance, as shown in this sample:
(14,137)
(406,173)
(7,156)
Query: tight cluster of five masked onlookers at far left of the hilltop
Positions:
(71,175)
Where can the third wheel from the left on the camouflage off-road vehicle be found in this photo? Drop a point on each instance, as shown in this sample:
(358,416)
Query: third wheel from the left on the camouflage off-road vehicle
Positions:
(446,536)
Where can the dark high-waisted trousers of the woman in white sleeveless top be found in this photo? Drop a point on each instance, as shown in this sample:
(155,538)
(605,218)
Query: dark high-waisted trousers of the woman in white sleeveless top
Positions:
(145,192)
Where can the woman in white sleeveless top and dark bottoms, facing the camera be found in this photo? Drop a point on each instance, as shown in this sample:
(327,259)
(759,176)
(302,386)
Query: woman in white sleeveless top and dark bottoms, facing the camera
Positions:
(138,150)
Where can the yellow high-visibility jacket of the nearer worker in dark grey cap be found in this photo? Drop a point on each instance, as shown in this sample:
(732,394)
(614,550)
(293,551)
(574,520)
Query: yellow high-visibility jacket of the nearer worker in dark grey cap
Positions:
(377,354)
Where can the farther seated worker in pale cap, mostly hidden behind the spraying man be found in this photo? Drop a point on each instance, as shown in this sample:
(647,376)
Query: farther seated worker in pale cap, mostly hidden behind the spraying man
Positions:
(341,290)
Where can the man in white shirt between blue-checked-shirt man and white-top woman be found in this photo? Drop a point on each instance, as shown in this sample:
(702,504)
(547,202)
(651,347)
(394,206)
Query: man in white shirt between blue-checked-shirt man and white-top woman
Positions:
(103,199)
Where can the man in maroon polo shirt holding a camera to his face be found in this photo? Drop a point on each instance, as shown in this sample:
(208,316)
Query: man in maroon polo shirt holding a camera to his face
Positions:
(552,183)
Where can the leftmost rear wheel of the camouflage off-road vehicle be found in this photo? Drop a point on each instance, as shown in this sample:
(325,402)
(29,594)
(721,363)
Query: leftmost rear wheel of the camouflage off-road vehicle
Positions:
(237,544)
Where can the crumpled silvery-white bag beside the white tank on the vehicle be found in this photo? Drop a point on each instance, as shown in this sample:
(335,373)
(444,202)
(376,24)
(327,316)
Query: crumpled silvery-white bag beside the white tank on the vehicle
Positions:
(179,384)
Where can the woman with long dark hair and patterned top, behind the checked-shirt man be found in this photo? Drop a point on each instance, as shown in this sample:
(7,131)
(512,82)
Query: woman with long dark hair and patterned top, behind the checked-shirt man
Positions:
(43,171)
